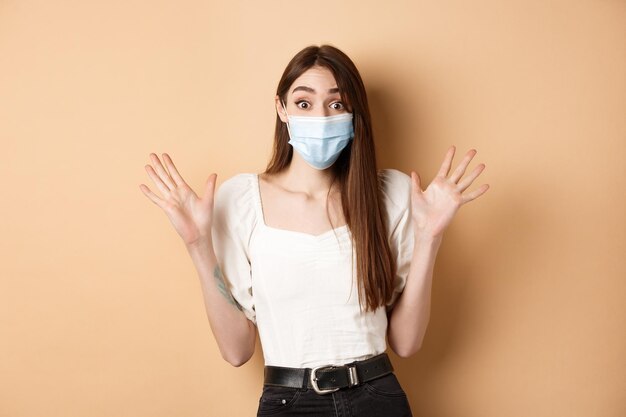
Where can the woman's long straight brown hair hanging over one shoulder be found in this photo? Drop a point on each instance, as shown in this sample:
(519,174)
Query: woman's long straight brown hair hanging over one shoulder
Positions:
(355,170)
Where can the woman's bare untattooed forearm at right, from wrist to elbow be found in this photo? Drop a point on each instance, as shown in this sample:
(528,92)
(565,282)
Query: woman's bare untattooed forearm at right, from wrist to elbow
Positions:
(411,313)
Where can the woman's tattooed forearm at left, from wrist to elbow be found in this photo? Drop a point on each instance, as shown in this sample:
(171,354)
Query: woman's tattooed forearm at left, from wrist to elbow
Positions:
(234,333)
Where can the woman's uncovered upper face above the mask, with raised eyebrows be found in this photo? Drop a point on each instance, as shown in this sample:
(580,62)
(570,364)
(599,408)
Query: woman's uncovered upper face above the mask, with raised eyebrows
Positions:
(314,93)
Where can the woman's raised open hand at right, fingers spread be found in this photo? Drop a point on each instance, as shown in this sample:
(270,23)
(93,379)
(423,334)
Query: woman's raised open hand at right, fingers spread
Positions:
(432,210)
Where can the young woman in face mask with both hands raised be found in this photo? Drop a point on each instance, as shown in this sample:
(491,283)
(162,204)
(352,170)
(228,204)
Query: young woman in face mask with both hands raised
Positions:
(322,253)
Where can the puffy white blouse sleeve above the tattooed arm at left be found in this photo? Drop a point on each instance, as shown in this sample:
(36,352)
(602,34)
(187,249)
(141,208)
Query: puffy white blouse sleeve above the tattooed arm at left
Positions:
(233,222)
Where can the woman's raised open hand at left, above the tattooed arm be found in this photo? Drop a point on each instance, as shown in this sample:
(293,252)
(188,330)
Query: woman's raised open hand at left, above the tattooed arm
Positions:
(190,215)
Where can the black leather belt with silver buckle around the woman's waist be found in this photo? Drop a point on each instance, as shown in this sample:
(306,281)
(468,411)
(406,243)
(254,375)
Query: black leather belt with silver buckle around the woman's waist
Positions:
(329,378)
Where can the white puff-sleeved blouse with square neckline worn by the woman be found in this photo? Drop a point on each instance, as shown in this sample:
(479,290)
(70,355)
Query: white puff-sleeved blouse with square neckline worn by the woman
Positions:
(298,288)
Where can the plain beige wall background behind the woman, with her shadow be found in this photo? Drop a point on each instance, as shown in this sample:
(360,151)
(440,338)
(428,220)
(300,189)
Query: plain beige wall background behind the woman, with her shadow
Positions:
(101,312)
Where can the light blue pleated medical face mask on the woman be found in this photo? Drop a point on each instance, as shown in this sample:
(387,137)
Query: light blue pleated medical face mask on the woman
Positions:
(319,139)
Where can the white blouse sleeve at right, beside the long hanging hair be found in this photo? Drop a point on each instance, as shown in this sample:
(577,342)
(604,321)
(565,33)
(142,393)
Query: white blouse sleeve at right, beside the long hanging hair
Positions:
(396,192)
